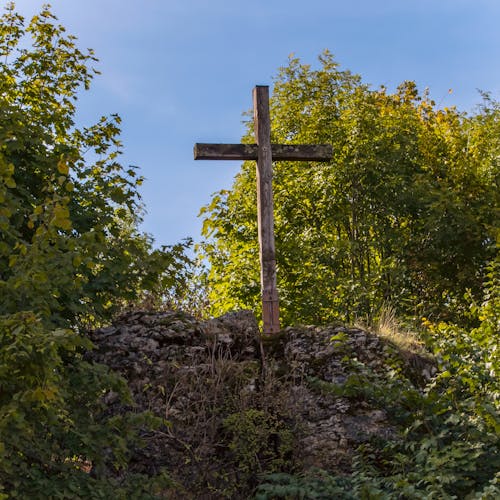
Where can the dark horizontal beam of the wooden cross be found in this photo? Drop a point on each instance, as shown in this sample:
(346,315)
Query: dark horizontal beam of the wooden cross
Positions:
(284,152)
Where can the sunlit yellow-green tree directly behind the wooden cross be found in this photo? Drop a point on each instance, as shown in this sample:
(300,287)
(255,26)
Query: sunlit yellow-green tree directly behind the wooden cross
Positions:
(402,215)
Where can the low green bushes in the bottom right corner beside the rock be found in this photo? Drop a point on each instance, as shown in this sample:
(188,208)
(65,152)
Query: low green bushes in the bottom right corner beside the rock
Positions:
(449,435)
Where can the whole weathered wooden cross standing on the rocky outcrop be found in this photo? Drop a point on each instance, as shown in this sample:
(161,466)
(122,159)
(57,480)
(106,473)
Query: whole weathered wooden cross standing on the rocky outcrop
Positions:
(264,153)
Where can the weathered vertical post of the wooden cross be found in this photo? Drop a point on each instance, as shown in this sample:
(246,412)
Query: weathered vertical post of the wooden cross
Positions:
(262,123)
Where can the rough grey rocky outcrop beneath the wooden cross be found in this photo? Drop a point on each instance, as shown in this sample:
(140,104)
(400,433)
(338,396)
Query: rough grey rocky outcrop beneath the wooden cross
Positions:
(204,377)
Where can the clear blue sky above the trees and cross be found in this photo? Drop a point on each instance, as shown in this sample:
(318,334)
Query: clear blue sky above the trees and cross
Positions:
(182,71)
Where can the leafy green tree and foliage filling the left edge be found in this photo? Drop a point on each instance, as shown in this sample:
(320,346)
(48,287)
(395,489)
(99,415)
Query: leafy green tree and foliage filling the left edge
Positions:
(71,254)
